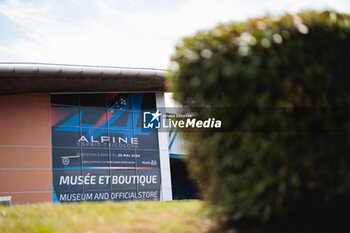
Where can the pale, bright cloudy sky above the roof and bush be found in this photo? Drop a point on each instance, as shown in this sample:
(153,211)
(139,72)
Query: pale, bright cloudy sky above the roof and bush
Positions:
(123,33)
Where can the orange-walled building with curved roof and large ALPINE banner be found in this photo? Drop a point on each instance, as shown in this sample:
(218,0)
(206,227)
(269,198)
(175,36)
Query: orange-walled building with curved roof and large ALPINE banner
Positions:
(78,133)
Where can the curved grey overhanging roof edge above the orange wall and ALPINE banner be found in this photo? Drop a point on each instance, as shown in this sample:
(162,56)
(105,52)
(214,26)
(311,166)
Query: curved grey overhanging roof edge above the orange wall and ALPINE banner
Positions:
(22,77)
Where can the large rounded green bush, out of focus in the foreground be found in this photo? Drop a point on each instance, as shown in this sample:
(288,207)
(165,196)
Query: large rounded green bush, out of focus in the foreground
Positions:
(281,87)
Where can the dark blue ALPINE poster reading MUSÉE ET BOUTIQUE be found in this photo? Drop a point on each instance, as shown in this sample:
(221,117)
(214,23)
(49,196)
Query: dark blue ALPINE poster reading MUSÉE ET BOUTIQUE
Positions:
(100,151)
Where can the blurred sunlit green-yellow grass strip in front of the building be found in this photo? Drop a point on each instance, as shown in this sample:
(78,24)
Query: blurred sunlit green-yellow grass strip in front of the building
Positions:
(173,216)
